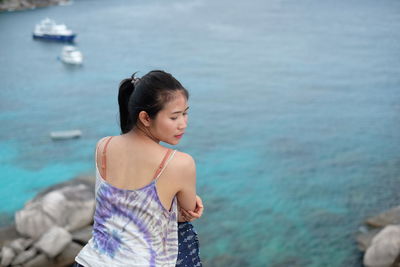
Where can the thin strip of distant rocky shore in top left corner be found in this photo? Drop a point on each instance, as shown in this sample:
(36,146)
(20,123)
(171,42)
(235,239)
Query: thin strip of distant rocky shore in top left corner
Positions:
(13,5)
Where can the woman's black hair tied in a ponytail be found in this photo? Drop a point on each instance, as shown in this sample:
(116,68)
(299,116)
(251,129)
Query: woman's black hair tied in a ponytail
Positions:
(149,93)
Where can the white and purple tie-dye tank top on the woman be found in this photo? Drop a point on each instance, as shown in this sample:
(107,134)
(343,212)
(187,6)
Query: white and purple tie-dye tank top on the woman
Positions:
(131,227)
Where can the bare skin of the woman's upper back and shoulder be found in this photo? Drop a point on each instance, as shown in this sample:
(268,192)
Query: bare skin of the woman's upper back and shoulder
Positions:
(131,164)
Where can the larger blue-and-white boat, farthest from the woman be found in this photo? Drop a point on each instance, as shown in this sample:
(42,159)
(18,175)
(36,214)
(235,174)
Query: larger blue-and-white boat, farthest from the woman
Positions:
(49,30)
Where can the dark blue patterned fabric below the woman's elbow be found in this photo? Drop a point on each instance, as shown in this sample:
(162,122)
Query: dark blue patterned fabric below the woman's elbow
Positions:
(189,252)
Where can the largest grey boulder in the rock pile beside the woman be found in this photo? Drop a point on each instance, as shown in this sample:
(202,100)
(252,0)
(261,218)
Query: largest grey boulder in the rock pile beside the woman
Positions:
(70,205)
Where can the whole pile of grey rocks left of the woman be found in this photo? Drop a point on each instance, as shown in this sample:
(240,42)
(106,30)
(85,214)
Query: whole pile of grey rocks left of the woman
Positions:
(52,227)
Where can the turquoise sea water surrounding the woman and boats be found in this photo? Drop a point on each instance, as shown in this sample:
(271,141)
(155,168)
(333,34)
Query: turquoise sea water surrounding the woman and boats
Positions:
(294,115)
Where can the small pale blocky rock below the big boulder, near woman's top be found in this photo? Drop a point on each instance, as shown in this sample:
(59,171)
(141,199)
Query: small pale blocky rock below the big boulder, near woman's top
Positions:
(54,241)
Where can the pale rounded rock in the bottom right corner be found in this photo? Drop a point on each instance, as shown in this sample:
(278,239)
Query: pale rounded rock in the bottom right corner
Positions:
(384,249)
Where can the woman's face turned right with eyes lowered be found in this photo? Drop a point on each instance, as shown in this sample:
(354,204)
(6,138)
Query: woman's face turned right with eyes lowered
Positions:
(170,122)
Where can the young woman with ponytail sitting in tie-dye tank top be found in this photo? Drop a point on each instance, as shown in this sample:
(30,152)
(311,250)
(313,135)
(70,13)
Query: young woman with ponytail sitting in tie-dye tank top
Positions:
(143,188)
